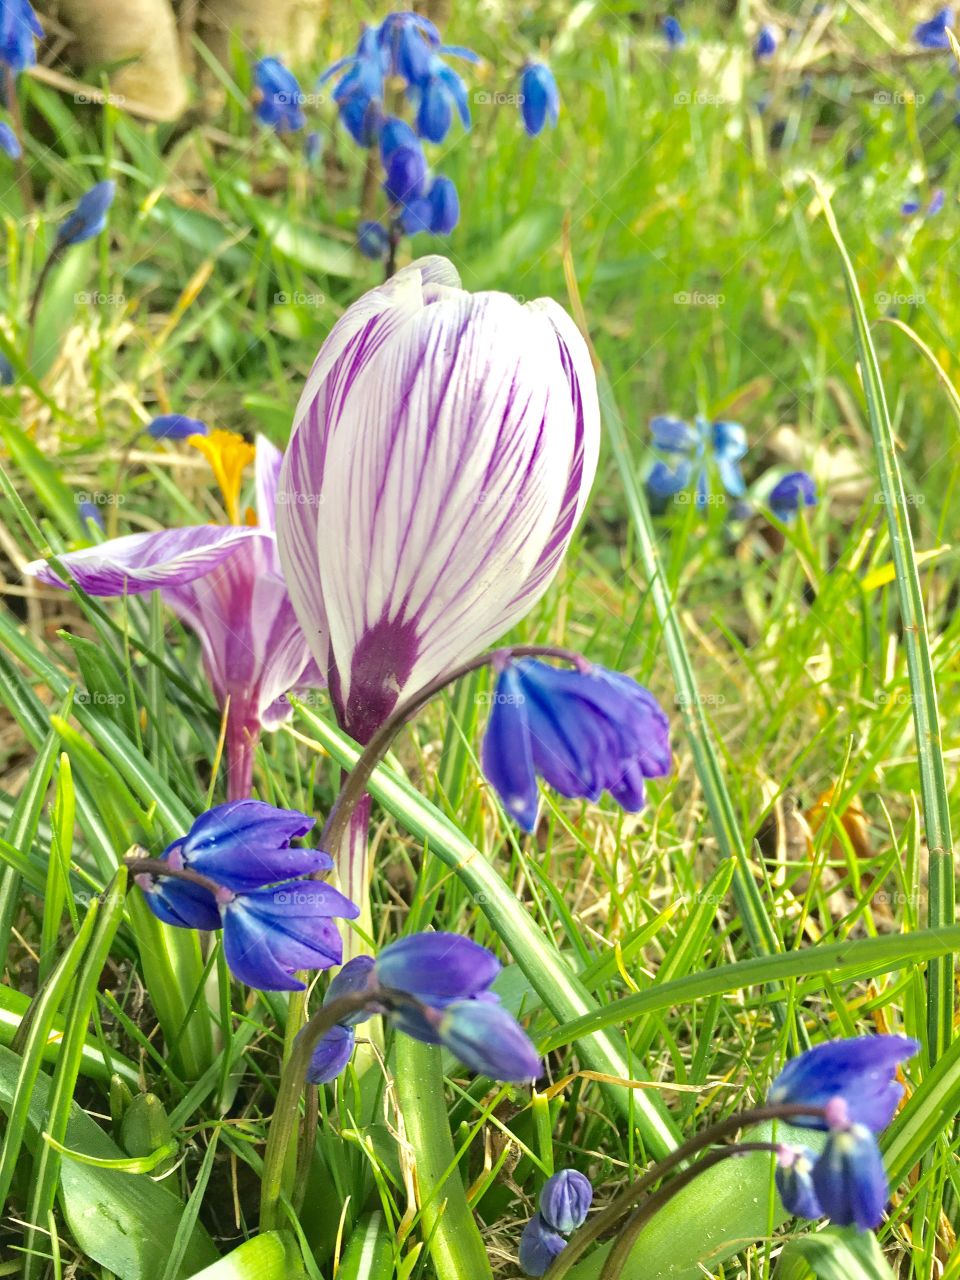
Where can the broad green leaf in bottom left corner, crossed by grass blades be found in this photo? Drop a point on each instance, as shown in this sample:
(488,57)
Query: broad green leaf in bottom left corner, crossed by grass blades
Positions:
(116,1219)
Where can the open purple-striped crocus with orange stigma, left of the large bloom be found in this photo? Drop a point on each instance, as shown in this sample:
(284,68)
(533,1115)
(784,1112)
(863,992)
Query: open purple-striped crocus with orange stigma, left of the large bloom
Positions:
(226,584)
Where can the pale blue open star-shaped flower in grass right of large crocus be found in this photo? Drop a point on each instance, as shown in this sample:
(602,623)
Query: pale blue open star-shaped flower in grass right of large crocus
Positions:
(700,449)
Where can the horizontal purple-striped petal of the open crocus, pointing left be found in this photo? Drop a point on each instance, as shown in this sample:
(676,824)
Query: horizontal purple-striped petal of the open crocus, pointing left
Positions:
(144,563)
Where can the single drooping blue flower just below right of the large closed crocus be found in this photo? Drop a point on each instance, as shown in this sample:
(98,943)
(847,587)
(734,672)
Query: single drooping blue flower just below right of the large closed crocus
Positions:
(583,732)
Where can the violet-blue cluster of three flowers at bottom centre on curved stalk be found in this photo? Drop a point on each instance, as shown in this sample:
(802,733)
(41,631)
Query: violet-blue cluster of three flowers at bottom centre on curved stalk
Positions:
(437,989)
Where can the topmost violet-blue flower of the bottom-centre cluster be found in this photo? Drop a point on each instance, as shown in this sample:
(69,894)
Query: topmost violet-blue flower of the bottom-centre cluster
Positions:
(437,968)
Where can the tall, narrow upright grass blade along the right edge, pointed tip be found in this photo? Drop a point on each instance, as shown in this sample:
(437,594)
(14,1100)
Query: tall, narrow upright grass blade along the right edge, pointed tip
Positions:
(930,749)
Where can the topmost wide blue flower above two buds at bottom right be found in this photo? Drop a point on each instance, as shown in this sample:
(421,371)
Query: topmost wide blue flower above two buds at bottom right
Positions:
(860,1073)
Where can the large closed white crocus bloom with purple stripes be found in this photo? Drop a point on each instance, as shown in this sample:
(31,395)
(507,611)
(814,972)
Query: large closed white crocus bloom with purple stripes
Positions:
(442,455)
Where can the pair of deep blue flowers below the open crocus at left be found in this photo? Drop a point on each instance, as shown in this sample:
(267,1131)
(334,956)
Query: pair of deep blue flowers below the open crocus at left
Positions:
(250,883)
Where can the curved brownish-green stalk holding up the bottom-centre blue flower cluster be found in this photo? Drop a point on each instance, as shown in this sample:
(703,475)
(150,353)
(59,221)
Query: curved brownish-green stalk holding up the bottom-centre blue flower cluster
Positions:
(281,1151)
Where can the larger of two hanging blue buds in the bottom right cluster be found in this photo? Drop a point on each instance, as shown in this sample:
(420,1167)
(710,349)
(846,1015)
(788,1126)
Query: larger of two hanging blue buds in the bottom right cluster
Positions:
(849,1180)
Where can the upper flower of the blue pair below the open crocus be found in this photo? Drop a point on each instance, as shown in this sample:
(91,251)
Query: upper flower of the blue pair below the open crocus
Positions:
(246,844)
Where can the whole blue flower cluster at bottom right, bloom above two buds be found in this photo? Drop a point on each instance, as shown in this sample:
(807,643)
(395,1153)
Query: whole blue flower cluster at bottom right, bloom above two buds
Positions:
(854,1082)
